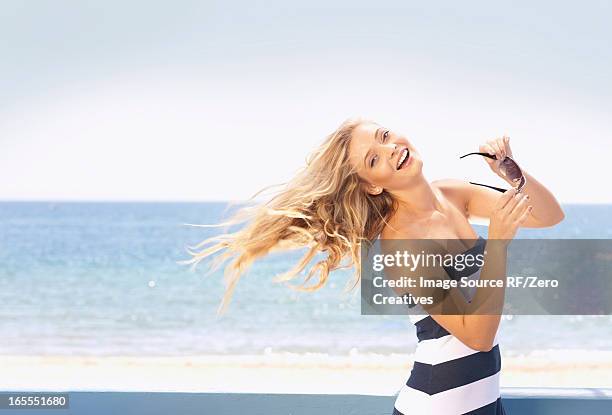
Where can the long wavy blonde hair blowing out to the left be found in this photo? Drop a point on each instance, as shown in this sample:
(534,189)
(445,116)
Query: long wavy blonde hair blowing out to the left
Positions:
(324,207)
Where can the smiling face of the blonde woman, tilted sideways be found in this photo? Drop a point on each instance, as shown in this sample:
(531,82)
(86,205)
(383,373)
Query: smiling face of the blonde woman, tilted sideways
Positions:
(384,159)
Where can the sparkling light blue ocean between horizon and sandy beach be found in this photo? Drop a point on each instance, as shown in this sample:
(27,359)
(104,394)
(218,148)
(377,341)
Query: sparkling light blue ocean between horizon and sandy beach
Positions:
(103,279)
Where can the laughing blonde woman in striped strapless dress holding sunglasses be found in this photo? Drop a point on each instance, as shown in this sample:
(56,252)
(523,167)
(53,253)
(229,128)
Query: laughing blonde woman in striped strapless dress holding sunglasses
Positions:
(365,181)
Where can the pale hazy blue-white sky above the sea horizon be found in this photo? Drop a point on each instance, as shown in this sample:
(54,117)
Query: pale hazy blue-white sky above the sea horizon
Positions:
(196,100)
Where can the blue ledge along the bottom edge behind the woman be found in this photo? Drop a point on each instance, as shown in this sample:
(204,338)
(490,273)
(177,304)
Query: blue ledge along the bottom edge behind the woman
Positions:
(517,401)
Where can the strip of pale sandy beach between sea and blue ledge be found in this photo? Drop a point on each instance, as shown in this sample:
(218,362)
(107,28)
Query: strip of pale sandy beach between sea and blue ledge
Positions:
(282,373)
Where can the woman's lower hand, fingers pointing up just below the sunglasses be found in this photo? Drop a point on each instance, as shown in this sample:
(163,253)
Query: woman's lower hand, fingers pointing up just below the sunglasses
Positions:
(510,211)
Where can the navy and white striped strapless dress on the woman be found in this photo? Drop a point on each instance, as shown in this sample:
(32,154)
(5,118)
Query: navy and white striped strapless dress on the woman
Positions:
(448,377)
